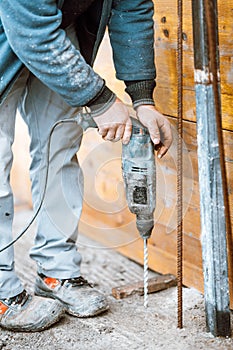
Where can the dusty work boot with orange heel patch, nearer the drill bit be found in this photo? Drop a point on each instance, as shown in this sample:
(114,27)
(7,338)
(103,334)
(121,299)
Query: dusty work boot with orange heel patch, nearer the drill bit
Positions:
(79,298)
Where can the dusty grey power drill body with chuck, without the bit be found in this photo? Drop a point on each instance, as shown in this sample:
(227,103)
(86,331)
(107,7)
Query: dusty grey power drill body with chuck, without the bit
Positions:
(139,173)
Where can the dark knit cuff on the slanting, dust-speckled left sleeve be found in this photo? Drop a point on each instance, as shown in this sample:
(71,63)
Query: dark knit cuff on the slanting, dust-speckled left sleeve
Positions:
(101,102)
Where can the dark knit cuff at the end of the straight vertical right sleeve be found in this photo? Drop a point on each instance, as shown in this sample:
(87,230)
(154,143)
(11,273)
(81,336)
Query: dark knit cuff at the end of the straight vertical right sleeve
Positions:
(141,92)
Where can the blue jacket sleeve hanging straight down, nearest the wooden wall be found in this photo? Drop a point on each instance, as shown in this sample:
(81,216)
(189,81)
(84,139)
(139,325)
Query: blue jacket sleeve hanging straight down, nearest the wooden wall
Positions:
(131,31)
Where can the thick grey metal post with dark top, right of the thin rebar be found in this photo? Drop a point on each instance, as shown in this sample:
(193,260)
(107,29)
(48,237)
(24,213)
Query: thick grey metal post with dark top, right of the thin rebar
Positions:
(211,175)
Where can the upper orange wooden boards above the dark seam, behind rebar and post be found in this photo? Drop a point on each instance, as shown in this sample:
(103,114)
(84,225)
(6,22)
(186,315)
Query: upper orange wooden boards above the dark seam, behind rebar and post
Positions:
(165,48)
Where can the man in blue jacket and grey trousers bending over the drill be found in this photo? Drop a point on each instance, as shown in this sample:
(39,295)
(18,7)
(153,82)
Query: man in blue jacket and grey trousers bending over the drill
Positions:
(47,51)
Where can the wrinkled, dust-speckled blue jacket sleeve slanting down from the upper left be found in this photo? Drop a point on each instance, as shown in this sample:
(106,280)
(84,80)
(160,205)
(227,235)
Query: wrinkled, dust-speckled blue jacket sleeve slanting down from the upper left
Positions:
(33,32)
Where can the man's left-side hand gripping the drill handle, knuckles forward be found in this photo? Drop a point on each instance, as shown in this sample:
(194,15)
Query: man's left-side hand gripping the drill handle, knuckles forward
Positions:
(115,123)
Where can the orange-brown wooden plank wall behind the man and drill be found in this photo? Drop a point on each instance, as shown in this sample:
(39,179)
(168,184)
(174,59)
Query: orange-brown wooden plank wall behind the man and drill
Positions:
(106,217)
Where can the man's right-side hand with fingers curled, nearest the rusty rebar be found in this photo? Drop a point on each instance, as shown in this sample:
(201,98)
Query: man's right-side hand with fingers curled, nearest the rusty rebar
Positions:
(158,126)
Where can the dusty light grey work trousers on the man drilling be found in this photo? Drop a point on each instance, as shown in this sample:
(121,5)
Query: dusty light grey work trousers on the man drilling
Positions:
(54,248)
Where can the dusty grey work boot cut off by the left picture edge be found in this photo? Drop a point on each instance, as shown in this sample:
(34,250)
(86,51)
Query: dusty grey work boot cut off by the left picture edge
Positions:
(27,313)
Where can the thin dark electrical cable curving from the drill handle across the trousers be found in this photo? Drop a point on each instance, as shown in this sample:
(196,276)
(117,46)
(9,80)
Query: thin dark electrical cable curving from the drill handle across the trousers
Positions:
(45,185)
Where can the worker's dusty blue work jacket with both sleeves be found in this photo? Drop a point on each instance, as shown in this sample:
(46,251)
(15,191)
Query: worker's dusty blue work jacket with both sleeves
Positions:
(31,36)
